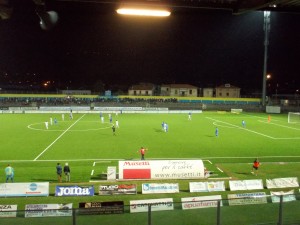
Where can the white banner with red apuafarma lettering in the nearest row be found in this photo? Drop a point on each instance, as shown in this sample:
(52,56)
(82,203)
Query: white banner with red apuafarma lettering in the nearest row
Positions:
(201,202)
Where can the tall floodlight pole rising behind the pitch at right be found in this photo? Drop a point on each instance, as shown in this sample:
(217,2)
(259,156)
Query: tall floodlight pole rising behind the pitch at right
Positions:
(266,43)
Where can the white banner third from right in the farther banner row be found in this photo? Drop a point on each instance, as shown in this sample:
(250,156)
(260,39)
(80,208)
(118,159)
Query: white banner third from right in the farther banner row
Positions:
(207,186)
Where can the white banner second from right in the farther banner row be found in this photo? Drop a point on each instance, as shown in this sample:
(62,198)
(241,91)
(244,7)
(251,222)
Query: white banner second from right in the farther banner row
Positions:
(236,185)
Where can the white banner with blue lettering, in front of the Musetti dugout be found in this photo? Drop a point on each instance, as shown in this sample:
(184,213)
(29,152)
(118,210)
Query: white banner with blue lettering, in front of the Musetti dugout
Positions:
(160,188)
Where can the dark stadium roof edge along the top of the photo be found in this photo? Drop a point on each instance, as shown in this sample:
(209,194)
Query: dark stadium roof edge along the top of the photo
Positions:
(235,6)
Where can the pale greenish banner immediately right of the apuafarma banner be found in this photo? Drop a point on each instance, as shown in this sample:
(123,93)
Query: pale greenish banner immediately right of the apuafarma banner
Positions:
(247,198)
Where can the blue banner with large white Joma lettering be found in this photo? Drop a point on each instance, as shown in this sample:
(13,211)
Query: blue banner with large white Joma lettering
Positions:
(74,190)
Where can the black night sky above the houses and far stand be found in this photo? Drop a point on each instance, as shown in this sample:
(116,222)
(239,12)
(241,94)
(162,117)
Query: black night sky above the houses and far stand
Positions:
(203,48)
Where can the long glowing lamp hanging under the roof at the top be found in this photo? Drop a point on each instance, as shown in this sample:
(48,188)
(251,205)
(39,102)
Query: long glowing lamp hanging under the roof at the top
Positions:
(143,12)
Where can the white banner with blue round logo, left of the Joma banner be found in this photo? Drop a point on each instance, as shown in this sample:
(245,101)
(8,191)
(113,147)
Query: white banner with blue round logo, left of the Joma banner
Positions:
(24,189)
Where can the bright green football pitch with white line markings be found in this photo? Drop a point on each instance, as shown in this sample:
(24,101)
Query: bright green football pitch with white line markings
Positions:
(89,145)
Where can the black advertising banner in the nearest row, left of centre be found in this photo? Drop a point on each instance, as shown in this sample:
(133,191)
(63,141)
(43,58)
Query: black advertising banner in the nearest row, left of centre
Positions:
(92,208)
